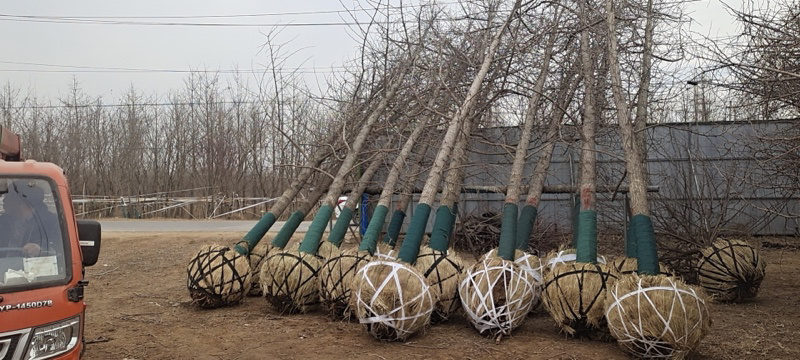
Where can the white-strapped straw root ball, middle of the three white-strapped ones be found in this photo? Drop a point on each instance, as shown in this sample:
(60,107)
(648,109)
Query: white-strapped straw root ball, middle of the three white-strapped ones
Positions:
(496,295)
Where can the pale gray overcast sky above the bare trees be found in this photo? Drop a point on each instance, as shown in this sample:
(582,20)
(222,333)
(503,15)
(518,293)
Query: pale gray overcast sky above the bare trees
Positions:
(46,42)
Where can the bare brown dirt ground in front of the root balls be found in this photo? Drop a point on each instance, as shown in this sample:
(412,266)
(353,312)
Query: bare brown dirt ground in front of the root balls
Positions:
(138,309)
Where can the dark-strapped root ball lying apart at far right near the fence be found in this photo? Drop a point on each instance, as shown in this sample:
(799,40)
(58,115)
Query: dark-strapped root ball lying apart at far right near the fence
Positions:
(731,270)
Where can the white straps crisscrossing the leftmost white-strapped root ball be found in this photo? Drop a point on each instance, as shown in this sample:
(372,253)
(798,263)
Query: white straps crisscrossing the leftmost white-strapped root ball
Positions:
(396,317)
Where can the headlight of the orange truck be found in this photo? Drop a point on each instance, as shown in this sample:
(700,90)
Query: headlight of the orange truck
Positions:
(54,339)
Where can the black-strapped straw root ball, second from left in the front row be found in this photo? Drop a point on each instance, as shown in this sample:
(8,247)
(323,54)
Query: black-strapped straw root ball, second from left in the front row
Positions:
(289,281)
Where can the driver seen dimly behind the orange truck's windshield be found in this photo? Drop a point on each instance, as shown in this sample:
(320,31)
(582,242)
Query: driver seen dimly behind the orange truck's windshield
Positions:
(25,222)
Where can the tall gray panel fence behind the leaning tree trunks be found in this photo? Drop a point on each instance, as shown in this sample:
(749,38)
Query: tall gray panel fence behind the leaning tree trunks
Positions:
(709,176)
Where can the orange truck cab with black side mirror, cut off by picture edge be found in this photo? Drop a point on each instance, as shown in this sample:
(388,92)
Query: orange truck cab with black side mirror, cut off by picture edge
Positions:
(43,252)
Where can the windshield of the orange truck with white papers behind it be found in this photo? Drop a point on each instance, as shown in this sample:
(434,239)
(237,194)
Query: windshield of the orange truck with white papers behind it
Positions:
(31,241)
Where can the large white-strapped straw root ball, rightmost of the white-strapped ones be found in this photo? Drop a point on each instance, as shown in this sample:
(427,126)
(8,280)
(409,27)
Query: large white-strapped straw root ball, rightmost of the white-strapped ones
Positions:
(657,316)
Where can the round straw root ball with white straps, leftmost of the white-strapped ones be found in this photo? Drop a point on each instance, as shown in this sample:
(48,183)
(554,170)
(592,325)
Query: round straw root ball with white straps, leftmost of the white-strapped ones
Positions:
(392,300)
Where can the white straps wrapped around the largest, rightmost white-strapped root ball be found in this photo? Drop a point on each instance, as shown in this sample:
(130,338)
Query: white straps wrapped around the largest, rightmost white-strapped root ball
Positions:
(652,345)
